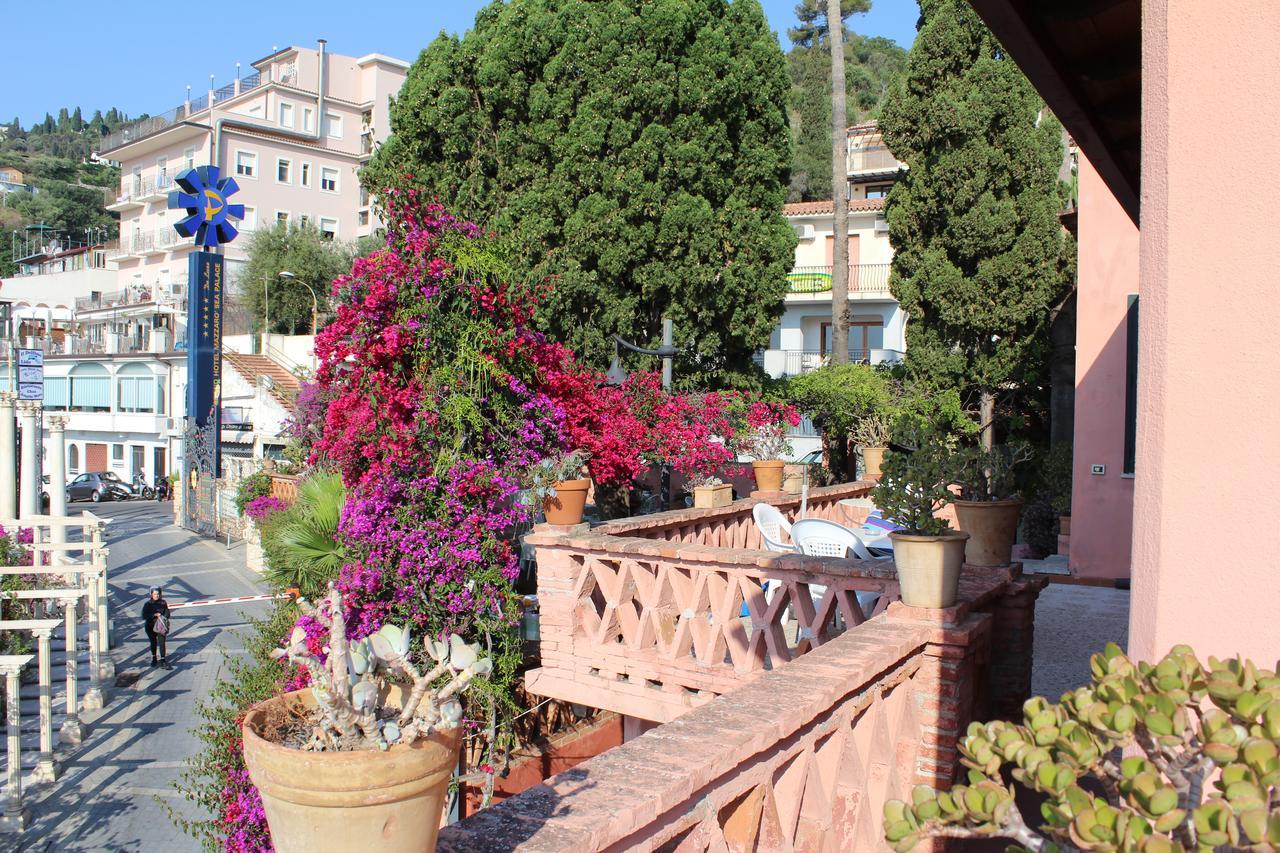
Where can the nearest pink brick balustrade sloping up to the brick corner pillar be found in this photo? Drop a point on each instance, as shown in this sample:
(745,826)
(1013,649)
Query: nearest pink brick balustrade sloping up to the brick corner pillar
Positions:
(802,758)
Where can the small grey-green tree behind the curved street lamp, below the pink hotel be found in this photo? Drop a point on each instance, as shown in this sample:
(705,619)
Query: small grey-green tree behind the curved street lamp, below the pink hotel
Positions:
(286,302)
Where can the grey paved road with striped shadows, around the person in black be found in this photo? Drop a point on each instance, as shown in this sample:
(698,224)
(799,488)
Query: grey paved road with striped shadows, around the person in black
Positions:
(107,799)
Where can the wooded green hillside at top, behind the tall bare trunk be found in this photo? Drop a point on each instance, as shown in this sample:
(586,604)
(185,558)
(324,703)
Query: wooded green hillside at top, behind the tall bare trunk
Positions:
(871,66)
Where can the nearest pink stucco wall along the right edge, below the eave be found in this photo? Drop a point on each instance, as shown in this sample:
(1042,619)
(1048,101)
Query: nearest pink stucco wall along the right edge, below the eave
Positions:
(1209,444)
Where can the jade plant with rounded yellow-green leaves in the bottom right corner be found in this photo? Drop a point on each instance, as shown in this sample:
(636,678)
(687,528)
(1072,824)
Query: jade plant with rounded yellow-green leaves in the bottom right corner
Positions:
(1171,758)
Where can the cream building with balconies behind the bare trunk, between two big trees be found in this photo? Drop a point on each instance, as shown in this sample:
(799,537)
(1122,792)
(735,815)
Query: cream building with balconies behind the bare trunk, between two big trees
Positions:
(877,325)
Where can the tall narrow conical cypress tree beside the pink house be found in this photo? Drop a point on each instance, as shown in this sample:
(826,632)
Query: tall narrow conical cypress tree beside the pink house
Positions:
(980,256)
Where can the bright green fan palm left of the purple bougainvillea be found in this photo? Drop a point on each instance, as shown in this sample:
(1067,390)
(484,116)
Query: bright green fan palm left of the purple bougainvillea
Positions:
(301,544)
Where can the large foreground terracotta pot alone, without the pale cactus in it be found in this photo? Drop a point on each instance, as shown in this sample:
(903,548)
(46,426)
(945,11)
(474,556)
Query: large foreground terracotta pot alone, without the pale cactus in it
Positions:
(317,802)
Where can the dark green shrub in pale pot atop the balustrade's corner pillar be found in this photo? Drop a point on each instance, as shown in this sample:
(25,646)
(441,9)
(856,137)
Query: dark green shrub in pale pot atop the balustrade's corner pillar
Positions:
(927,553)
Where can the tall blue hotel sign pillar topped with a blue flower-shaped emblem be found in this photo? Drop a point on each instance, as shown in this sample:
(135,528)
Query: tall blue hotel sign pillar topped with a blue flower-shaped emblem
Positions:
(204,195)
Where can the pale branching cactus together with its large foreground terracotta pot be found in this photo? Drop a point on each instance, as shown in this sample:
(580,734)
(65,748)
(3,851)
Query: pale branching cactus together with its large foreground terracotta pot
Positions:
(363,758)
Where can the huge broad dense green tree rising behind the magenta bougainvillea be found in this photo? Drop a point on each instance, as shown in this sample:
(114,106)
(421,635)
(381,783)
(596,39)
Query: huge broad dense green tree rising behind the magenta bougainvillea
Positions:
(634,153)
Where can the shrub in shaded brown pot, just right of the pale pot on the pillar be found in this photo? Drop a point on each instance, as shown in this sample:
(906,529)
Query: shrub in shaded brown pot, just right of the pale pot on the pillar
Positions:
(989,507)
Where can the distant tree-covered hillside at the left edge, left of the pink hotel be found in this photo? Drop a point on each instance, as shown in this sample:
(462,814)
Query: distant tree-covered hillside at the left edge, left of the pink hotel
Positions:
(56,157)
